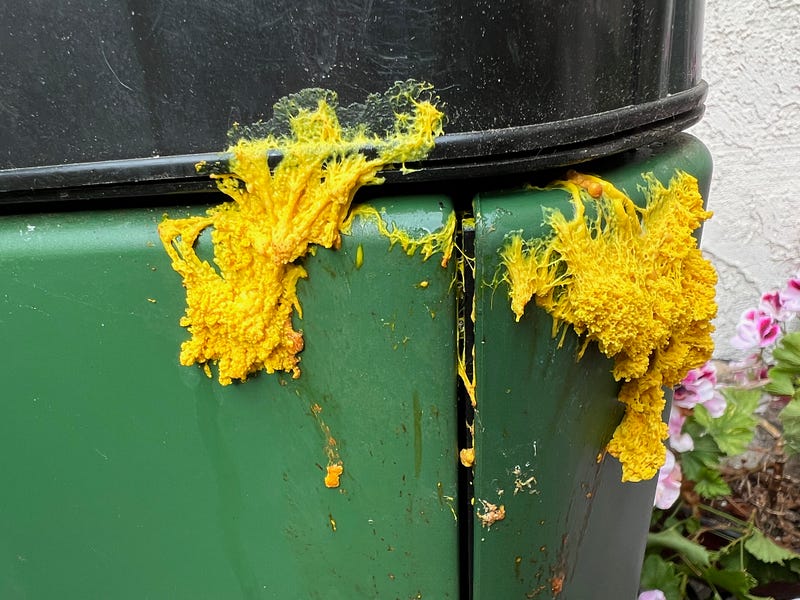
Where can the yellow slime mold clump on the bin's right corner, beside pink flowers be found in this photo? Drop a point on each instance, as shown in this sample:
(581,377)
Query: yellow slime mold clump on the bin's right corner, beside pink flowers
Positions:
(633,281)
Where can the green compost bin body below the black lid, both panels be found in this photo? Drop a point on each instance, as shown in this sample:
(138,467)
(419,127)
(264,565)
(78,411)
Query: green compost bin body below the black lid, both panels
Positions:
(126,475)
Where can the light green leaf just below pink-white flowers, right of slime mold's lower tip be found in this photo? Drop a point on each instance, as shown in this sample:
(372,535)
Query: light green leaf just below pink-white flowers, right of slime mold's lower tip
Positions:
(733,431)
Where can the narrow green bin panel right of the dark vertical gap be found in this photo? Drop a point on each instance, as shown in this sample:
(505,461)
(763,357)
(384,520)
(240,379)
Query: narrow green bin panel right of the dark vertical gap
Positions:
(572,530)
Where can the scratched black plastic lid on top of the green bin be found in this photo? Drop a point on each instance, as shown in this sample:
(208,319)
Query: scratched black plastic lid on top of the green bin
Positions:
(120,92)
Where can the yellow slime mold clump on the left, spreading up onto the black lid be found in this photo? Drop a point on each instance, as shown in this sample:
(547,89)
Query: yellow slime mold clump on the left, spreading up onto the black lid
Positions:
(239,310)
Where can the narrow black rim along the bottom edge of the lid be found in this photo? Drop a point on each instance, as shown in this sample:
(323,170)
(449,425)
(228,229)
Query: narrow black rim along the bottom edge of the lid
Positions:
(494,146)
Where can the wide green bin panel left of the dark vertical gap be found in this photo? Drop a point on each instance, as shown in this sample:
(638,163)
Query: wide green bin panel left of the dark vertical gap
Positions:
(126,475)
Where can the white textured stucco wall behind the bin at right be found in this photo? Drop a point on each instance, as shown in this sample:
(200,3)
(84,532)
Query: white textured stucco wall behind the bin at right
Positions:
(751,60)
